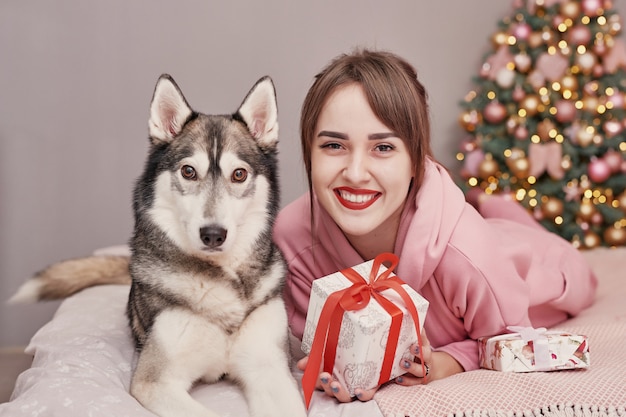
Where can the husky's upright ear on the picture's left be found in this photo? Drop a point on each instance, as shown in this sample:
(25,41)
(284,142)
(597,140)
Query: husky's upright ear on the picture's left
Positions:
(168,110)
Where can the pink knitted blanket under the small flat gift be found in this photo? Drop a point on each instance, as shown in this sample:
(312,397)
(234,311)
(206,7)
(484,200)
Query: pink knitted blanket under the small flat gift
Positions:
(597,391)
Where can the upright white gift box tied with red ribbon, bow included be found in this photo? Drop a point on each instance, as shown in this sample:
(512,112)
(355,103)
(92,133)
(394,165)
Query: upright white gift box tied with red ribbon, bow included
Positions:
(361,327)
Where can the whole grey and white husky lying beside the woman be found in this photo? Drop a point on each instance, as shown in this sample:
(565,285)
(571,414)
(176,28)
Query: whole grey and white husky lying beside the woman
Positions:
(205,298)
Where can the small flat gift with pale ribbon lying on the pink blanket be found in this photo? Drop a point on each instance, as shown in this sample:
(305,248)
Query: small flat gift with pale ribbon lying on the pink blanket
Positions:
(528,350)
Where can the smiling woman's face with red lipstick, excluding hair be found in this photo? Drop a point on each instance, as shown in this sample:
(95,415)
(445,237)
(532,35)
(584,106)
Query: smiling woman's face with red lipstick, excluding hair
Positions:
(360,169)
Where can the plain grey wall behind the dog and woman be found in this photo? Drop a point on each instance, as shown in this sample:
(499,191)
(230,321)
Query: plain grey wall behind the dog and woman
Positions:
(76,78)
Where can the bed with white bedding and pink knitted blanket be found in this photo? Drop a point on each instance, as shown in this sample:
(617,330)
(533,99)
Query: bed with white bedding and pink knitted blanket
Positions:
(82,362)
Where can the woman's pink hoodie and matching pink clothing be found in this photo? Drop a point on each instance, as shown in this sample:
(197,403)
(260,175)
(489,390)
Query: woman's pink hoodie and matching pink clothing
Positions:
(480,275)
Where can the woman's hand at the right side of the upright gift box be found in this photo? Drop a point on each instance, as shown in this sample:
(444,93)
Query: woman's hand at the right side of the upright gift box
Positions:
(437,365)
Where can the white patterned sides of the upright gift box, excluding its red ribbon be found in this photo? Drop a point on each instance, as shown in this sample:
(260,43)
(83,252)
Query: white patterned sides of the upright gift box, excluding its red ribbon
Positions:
(364,333)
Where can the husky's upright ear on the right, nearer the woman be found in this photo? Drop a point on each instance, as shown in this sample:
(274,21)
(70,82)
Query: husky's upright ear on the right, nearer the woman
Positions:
(260,112)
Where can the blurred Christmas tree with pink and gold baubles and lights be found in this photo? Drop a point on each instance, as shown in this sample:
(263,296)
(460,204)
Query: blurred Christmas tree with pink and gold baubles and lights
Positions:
(546,120)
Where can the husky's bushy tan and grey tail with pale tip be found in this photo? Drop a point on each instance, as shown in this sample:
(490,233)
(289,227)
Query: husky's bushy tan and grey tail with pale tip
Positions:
(65,278)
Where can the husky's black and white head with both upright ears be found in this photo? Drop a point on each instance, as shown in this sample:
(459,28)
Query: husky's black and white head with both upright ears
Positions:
(210,183)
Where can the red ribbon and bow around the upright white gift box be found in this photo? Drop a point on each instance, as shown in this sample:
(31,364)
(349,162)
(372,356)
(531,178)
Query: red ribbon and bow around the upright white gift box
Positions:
(357,297)
